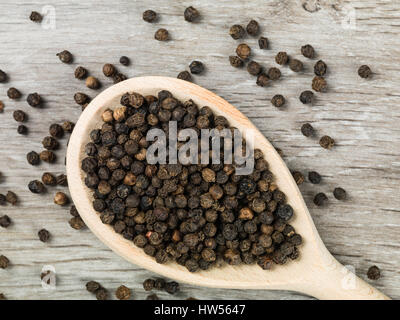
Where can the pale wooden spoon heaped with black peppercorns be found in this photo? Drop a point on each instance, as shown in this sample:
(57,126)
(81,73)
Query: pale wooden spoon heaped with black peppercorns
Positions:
(316,272)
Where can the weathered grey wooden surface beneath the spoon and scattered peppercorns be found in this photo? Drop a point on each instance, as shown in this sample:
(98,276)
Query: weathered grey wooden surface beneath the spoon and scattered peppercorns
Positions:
(362,116)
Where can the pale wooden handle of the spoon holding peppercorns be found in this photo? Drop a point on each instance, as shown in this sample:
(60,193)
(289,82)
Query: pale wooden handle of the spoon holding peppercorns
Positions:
(337,282)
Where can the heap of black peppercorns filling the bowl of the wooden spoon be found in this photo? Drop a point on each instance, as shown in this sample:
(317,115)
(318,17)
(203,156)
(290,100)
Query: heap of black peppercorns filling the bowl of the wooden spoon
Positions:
(195,215)
